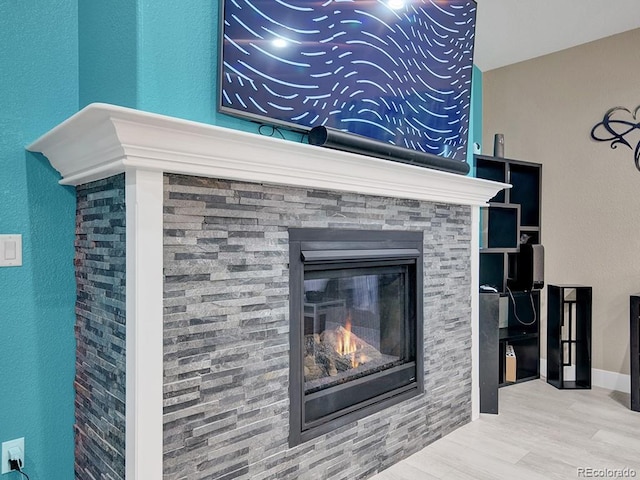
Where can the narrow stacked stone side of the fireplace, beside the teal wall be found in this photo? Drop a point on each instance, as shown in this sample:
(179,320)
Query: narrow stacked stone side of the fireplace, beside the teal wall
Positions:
(100,330)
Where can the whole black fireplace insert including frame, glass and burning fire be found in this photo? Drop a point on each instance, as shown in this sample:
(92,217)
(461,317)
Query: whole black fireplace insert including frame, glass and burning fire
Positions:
(355,325)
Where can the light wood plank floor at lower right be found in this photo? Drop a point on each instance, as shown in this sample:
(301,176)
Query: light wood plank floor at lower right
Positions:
(541,433)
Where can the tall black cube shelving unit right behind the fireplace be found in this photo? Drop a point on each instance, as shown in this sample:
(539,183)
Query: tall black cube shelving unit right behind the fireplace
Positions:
(512,217)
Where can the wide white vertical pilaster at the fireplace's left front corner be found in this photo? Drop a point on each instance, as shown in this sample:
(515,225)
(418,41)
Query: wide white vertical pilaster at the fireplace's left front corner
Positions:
(144,326)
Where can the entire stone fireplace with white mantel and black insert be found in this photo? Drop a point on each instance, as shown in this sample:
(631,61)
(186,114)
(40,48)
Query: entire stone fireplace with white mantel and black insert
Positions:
(185,304)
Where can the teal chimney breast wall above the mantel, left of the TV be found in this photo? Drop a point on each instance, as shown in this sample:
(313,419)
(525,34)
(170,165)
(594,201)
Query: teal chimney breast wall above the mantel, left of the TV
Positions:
(155,55)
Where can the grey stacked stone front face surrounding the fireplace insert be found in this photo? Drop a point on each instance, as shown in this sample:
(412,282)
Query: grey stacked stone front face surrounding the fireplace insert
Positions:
(226,332)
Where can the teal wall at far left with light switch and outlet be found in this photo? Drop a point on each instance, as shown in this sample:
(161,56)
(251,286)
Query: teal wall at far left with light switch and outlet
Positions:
(38,89)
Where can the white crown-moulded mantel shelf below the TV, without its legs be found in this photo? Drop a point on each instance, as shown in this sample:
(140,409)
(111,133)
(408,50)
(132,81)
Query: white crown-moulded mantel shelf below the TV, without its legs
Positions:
(102,140)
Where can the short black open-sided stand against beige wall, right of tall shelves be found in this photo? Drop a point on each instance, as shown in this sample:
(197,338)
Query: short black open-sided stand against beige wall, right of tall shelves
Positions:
(569,335)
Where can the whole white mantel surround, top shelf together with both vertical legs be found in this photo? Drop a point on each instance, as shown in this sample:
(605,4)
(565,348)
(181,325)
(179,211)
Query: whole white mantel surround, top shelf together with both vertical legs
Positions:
(104,140)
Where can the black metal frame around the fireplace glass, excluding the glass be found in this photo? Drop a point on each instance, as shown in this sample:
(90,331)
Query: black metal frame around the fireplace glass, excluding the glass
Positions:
(309,247)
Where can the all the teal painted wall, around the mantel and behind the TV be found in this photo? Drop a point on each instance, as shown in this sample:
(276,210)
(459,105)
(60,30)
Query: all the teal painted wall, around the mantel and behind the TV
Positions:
(57,57)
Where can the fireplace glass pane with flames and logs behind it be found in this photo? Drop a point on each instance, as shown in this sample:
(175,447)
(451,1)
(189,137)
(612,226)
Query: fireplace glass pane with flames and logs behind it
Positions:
(356,323)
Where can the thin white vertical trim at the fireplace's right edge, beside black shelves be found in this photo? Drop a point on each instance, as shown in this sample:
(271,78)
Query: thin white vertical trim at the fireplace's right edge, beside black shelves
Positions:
(475,315)
